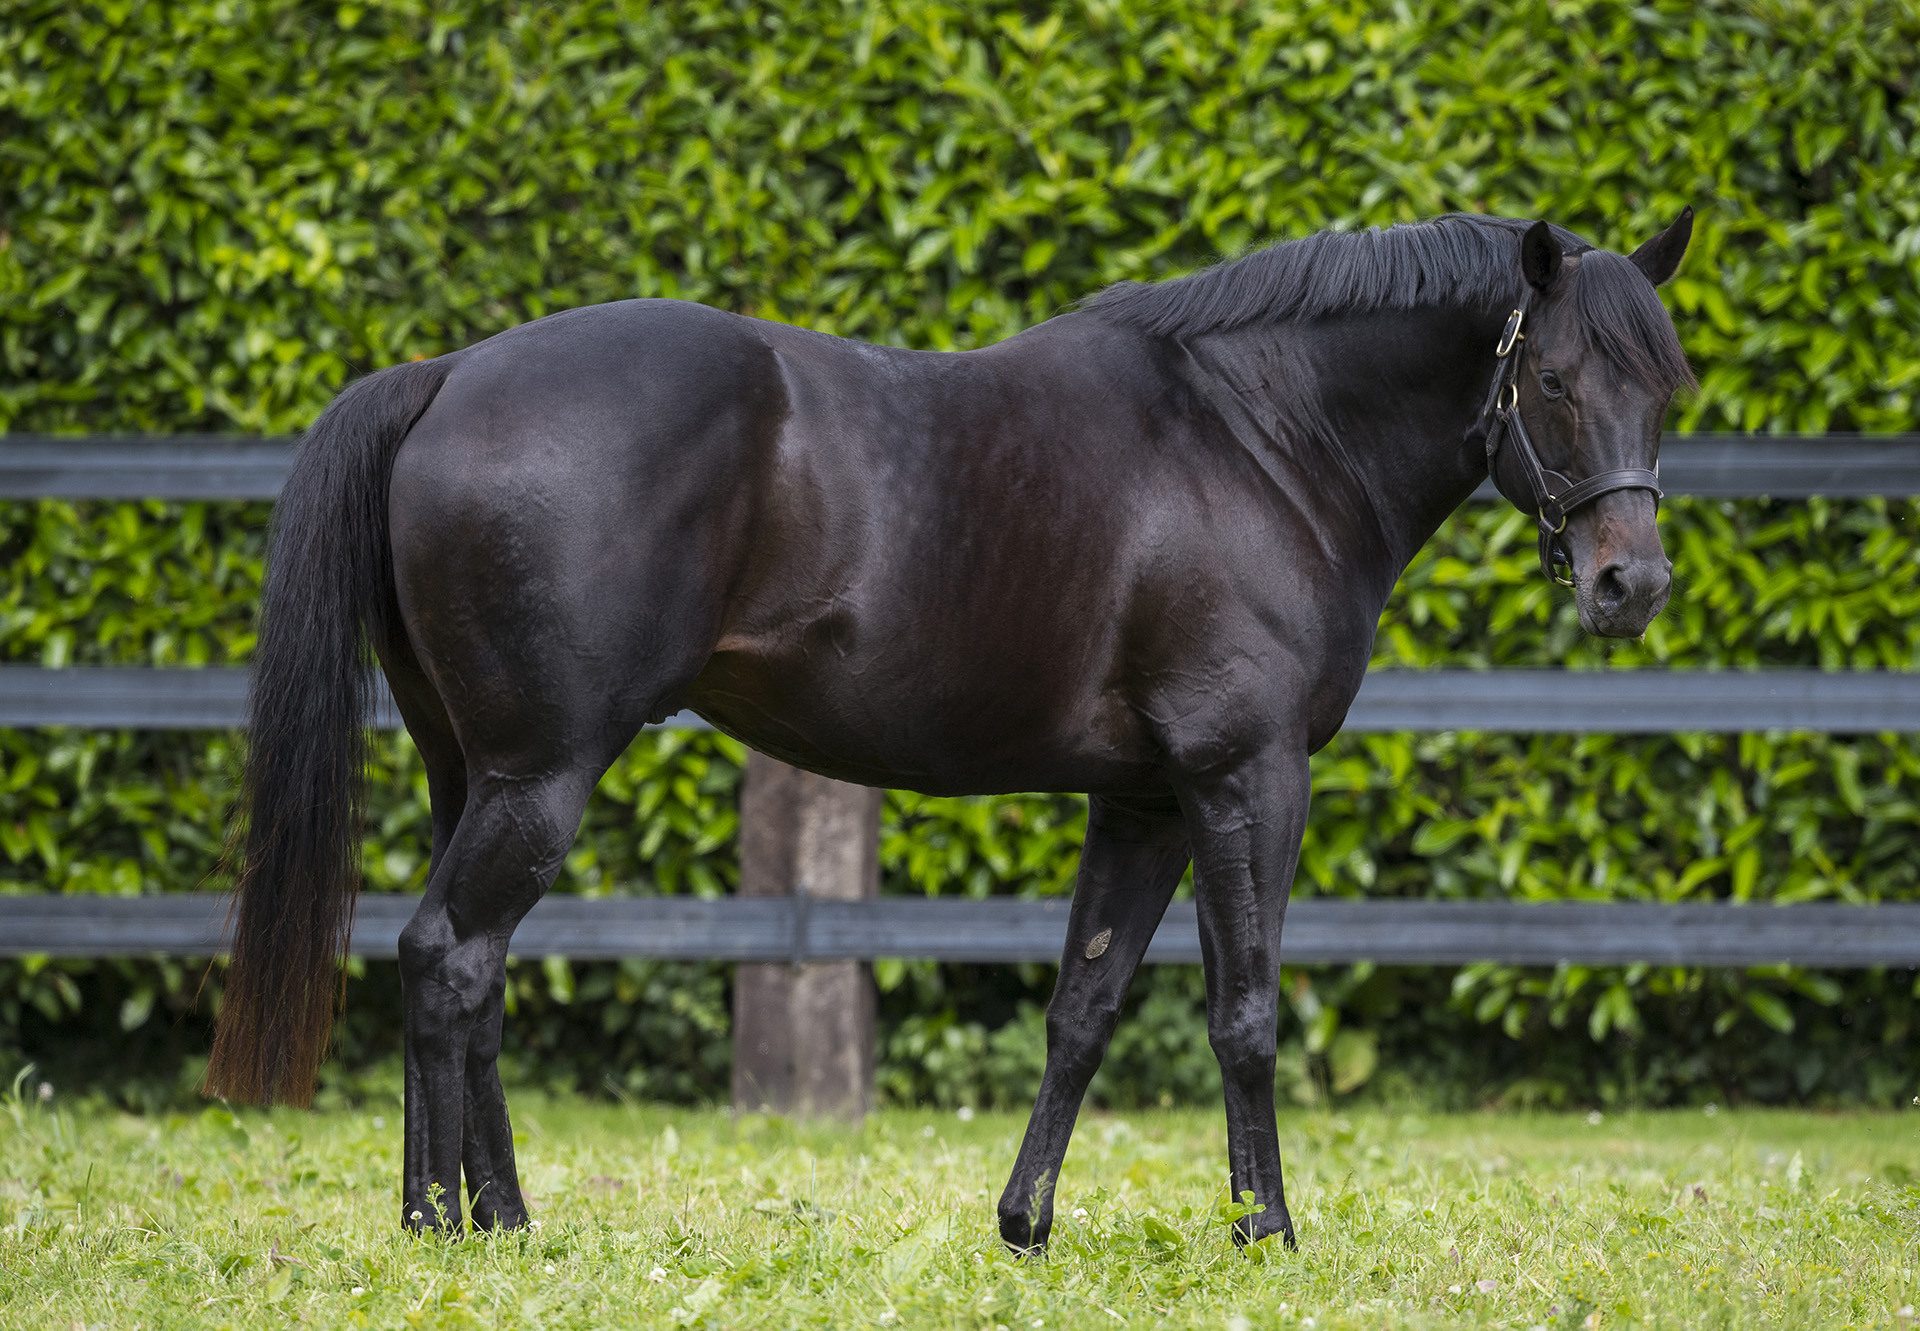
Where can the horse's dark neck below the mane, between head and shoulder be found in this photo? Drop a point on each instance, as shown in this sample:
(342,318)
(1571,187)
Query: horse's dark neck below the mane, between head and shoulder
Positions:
(1376,408)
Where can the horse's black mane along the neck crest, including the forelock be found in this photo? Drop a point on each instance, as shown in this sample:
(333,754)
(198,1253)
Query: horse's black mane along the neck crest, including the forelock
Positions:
(1454,260)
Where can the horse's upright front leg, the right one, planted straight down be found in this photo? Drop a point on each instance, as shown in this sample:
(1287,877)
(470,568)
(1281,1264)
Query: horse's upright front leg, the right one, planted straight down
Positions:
(1245,825)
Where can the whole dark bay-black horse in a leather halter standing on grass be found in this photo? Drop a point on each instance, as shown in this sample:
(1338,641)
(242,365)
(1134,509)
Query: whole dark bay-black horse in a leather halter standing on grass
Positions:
(1136,552)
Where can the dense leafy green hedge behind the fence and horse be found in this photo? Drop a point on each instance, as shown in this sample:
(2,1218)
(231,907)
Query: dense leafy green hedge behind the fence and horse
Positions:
(218,212)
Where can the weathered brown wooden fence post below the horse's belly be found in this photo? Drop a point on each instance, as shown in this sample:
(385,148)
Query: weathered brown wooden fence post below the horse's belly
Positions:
(804,1034)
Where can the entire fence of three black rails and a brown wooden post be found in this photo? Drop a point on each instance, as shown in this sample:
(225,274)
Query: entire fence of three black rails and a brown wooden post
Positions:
(807,915)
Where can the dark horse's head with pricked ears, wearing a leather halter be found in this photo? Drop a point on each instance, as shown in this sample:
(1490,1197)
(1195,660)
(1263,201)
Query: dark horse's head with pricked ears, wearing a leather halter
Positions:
(1577,418)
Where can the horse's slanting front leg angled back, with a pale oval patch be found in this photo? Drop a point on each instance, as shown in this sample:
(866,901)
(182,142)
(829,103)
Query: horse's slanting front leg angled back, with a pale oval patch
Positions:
(1130,867)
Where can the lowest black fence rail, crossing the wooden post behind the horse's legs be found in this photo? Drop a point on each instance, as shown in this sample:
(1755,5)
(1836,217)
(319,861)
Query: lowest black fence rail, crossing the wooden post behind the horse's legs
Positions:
(1034,931)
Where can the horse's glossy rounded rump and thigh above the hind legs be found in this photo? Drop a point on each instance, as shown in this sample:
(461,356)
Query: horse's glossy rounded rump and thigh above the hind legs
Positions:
(567,520)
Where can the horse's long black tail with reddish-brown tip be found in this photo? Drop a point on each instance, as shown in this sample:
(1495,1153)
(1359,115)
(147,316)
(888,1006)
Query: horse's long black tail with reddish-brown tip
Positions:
(299,821)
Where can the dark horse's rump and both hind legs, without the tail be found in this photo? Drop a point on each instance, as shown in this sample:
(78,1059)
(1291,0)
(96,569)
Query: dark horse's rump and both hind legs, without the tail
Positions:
(567,520)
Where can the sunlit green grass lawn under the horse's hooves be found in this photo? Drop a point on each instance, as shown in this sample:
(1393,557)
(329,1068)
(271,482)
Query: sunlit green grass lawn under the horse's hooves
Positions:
(656,1217)
